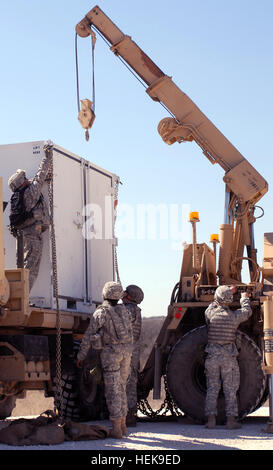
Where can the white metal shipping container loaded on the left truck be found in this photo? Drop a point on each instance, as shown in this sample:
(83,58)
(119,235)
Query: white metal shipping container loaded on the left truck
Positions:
(84,217)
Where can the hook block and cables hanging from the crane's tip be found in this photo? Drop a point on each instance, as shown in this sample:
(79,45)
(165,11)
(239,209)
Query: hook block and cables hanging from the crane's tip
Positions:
(86,113)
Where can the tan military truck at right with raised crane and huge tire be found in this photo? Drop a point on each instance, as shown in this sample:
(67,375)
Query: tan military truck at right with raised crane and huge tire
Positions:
(179,351)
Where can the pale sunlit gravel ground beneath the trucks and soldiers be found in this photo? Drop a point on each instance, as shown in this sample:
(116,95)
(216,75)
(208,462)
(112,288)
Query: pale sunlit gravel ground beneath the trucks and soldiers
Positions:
(170,436)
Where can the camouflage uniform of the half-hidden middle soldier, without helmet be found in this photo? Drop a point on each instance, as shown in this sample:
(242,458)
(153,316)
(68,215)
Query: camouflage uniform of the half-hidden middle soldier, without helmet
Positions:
(131,389)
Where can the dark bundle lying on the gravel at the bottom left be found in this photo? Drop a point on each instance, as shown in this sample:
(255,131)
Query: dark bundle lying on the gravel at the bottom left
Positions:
(47,429)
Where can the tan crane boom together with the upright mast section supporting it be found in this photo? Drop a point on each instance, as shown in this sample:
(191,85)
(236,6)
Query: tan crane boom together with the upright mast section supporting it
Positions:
(244,185)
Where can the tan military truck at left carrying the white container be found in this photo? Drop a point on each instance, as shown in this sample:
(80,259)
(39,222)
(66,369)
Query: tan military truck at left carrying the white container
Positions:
(40,330)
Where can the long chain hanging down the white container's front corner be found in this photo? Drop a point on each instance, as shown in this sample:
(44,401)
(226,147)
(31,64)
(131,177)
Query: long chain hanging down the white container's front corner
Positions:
(58,402)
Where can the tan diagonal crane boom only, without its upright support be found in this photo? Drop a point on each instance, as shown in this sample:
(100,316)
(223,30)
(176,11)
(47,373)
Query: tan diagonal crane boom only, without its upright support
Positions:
(191,123)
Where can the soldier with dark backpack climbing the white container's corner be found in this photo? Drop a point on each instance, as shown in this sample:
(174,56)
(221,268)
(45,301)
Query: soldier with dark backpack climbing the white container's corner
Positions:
(29,215)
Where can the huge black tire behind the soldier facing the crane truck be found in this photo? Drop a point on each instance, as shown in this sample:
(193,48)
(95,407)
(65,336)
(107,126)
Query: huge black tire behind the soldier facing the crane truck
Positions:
(186,380)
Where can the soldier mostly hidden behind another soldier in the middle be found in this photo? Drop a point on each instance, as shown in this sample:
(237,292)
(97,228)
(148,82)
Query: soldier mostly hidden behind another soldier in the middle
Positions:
(133,296)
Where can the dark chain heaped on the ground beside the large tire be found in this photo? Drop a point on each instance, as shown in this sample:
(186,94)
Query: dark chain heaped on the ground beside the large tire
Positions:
(168,405)
